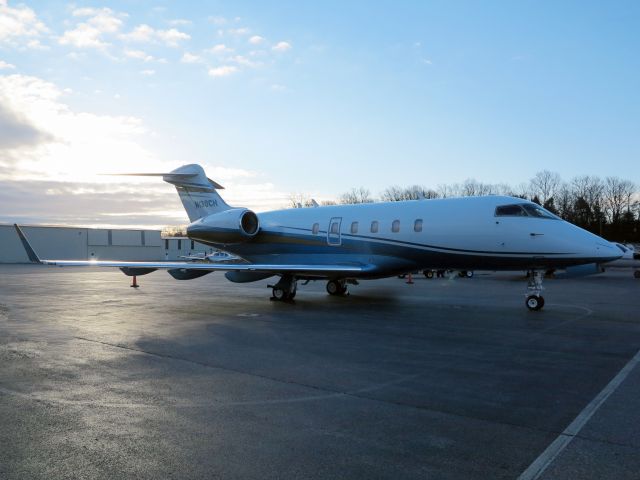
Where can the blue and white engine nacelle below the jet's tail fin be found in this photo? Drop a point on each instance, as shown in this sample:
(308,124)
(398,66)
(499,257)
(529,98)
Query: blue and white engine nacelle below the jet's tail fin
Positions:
(237,225)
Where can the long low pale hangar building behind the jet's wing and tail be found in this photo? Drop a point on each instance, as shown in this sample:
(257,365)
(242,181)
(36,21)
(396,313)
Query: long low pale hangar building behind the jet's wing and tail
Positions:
(80,243)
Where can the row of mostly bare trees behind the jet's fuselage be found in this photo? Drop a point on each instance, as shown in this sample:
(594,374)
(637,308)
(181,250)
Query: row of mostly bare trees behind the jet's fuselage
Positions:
(609,207)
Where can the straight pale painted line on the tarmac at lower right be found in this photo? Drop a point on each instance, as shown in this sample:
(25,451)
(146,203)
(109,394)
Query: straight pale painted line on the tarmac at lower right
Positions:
(540,464)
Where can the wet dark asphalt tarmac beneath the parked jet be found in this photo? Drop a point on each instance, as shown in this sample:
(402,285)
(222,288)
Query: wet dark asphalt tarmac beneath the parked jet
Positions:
(443,379)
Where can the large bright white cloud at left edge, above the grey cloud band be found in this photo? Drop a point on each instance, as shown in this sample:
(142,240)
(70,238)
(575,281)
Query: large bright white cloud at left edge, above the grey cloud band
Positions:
(44,138)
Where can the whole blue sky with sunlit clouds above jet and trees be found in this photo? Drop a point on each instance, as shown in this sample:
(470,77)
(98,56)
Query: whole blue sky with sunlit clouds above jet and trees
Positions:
(283,97)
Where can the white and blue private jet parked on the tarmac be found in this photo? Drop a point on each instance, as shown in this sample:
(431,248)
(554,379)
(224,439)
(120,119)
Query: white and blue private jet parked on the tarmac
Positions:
(346,243)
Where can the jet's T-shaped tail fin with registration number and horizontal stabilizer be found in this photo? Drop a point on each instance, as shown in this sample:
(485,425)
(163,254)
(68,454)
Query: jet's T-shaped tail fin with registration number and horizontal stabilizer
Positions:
(197,192)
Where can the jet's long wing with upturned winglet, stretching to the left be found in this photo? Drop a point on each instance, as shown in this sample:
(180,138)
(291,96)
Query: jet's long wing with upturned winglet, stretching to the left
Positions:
(309,270)
